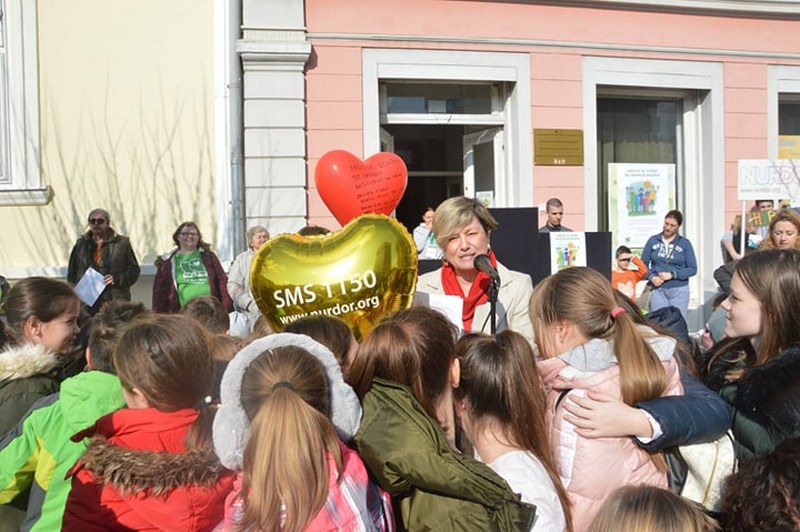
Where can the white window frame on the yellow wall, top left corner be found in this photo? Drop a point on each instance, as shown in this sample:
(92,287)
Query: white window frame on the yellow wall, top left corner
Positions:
(21,87)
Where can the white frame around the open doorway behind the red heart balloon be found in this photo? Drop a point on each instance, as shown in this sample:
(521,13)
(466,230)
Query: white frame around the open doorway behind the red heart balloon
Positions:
(439,65)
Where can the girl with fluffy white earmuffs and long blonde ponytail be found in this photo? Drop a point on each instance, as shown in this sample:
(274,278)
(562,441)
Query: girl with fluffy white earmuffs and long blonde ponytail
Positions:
(274,425)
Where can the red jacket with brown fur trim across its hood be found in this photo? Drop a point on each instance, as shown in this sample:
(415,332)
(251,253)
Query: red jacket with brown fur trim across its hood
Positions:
(137,475)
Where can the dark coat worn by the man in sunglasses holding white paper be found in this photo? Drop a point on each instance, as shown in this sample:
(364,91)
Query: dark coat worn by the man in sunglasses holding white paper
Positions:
(116,259)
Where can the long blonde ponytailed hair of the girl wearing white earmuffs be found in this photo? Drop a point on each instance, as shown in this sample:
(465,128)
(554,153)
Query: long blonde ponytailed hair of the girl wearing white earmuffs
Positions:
(285,463)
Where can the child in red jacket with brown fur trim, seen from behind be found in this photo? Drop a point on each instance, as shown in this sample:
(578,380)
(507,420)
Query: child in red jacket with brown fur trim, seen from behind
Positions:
(152,466)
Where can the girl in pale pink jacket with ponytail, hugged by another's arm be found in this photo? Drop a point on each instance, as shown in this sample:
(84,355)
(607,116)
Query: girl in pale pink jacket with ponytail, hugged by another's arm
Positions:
(584,338)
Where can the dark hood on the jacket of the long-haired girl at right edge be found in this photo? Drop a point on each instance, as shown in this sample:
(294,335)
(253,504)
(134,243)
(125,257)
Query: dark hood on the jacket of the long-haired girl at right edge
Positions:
(770,394)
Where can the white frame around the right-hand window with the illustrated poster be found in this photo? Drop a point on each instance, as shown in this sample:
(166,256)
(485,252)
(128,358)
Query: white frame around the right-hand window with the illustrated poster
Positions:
(703,125)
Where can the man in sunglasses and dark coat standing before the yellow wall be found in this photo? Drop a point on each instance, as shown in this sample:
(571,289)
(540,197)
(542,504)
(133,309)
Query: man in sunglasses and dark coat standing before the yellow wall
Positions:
(108,252)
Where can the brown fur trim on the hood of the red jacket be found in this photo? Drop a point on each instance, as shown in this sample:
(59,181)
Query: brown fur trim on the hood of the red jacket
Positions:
(155,473)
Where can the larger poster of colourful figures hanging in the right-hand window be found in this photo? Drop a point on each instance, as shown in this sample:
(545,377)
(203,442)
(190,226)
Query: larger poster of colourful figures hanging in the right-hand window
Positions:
(640,196)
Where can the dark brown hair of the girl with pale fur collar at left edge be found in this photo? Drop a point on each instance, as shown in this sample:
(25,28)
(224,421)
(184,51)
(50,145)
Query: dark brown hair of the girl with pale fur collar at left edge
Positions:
(40,297)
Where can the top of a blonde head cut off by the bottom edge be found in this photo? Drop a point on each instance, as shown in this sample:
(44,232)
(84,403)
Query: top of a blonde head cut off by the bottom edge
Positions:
(649,509)
